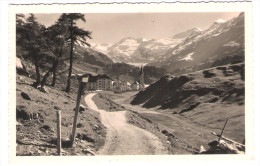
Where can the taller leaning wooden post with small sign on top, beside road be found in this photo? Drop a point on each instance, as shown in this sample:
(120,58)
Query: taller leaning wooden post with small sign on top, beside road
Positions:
(76,112)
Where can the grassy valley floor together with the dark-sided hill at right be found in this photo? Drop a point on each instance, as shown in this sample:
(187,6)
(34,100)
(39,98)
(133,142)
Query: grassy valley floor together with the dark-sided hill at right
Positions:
(193,127)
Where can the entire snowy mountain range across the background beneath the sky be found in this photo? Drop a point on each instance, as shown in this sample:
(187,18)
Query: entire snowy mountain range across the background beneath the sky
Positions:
(191,50)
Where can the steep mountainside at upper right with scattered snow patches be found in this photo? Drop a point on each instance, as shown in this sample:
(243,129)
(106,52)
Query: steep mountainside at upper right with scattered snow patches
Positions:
(222,43)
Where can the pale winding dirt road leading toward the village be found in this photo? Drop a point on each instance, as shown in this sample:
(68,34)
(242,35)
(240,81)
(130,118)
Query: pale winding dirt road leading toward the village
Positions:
(123,138)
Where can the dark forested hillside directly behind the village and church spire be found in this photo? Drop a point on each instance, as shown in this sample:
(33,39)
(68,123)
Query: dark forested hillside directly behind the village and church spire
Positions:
(88,60)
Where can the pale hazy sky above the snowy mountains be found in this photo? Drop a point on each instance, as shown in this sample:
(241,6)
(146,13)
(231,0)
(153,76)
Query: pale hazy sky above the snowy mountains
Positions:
(111,27)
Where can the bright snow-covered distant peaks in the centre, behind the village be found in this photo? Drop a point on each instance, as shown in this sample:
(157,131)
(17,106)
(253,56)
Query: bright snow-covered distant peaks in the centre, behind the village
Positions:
(141,50)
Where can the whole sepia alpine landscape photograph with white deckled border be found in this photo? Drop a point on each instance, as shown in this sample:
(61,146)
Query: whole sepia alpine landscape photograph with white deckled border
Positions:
(115,83)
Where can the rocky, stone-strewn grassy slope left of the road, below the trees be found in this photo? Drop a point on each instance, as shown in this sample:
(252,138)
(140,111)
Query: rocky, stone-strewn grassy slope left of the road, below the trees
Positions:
(34,140)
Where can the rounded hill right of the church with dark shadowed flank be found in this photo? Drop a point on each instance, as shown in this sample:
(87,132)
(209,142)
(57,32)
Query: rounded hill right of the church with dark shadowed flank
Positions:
(205,97)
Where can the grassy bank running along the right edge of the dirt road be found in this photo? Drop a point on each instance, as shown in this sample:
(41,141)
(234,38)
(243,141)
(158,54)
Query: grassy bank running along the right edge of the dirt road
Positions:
(113,102)
